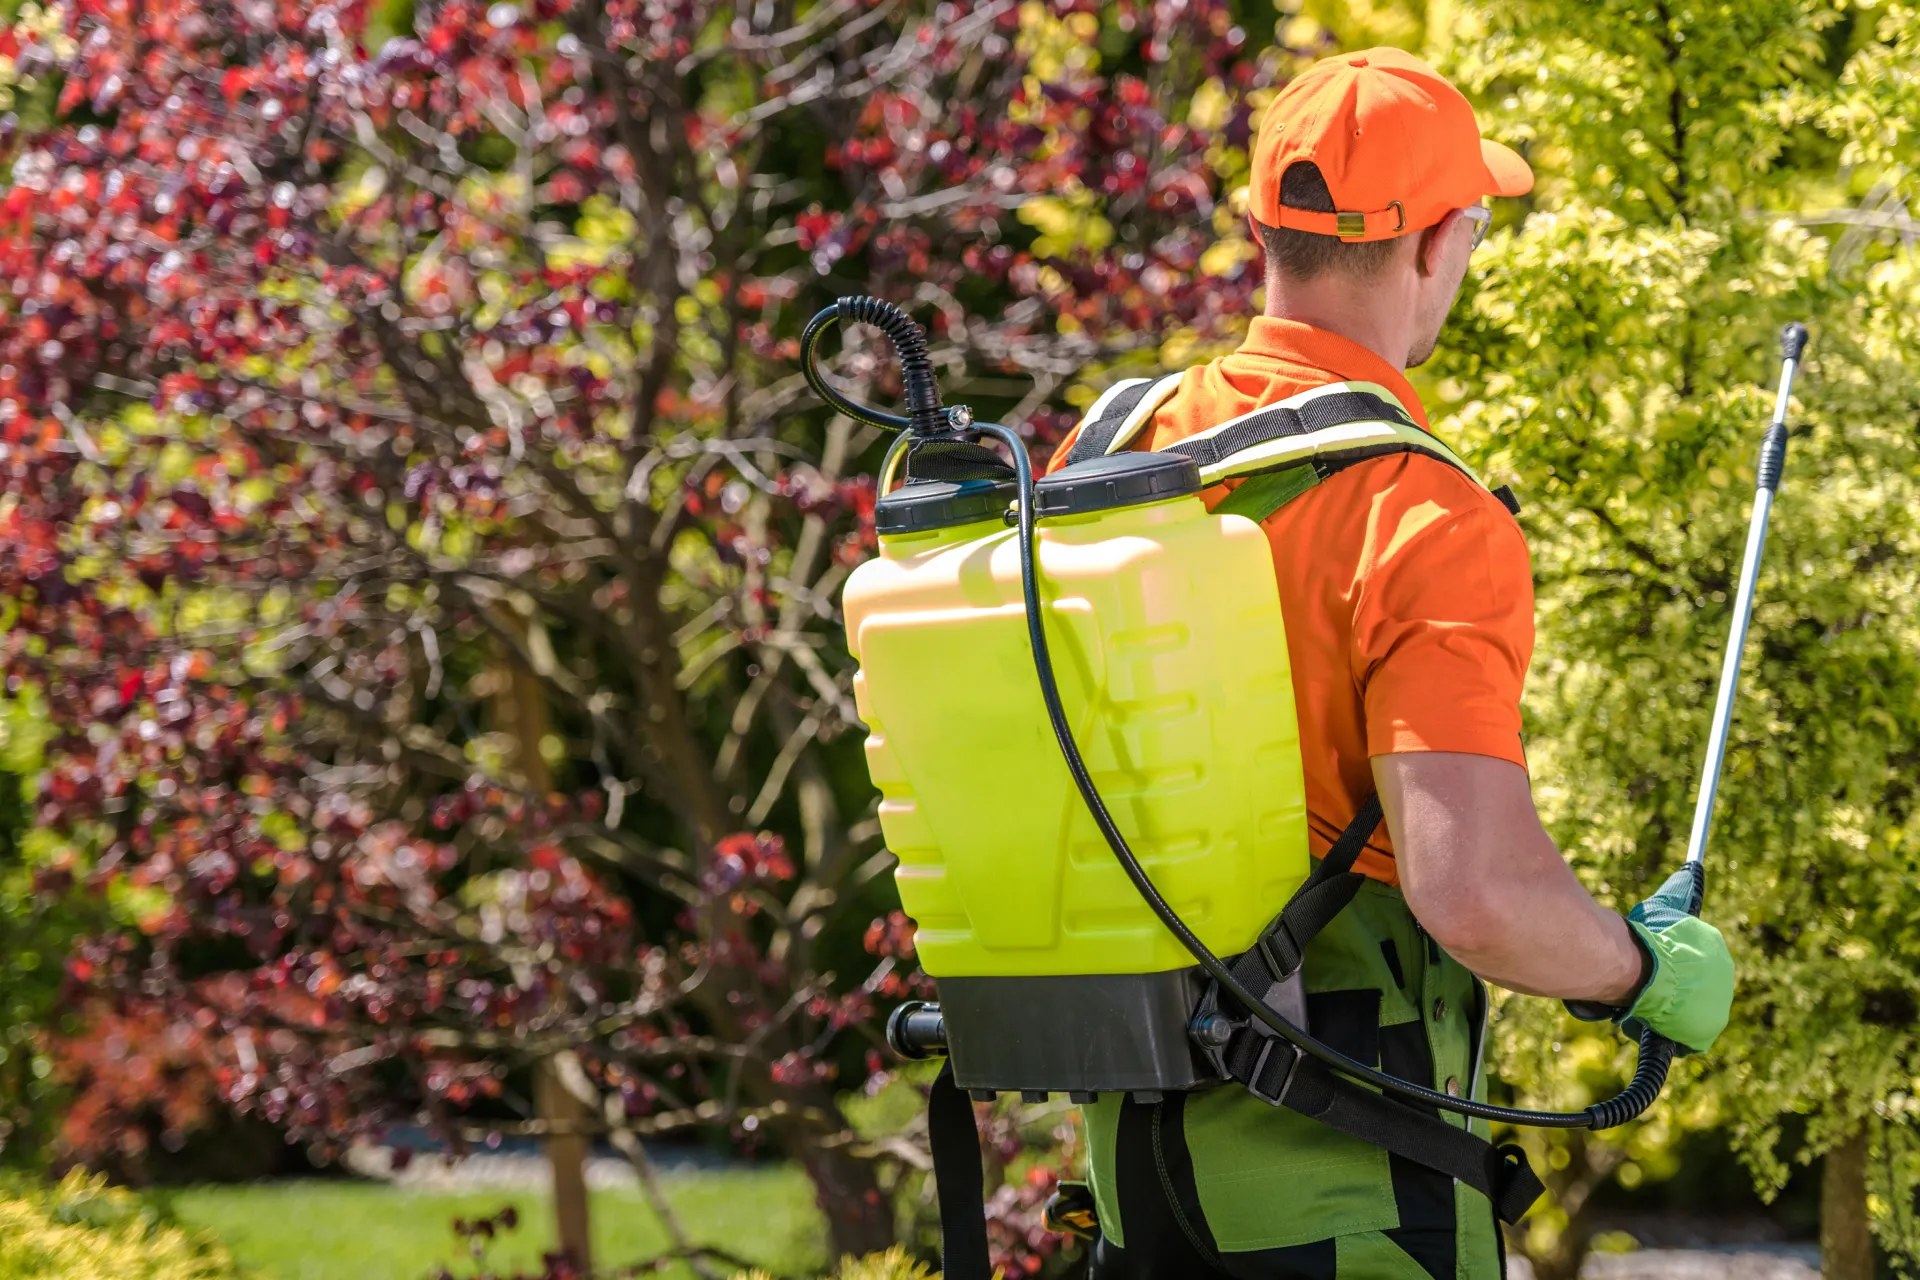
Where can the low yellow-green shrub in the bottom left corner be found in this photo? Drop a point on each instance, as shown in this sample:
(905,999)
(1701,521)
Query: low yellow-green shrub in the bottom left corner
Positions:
(89,1231)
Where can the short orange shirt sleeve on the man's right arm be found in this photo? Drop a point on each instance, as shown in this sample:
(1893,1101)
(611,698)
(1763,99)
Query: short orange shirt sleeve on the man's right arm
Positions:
(1443,621)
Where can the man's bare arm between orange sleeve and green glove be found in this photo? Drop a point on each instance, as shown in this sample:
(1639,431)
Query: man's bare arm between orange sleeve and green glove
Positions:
(1487,884)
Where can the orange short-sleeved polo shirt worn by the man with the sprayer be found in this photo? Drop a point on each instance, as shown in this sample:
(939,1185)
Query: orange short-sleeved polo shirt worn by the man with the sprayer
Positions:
(1406,588)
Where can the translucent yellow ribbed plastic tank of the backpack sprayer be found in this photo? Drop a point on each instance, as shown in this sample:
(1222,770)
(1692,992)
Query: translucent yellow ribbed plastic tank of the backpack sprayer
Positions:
(1172,661)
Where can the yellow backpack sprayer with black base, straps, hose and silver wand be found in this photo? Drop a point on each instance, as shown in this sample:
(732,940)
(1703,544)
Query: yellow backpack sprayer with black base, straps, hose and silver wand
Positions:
(1053,978)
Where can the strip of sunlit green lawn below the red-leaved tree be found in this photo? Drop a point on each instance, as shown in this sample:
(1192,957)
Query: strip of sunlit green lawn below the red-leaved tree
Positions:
(370,1231)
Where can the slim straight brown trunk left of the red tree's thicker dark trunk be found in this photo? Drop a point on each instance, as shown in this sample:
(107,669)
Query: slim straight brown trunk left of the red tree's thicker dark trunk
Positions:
(521,713)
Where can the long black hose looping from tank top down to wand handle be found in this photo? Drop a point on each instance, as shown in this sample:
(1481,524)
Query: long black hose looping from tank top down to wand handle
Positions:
(1656,1053)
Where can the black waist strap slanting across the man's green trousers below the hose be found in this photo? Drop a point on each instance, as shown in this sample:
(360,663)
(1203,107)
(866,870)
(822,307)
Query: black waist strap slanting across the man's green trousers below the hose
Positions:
(1282,1074)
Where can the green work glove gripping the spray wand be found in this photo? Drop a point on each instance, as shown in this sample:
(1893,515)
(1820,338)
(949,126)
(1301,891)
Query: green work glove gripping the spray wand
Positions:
(1691,991)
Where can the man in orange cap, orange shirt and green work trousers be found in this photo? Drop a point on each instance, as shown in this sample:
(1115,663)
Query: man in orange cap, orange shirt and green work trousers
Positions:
(1408,604)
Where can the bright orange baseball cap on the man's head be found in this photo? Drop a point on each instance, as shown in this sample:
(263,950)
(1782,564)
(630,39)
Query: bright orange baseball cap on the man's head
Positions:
(1397,145)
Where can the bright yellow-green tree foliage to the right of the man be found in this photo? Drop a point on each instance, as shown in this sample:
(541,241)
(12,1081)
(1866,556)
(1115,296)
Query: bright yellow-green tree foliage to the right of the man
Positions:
(1710,176)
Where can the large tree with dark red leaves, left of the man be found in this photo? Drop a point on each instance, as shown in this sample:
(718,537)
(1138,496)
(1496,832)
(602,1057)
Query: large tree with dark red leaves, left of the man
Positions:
(429,550)
